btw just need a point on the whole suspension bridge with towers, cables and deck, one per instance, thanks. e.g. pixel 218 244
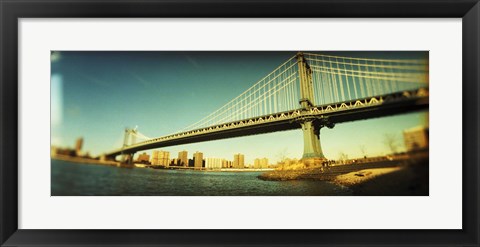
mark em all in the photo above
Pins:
pixel 308 91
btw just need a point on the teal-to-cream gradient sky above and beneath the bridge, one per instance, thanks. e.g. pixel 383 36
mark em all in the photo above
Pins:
pixel 97 94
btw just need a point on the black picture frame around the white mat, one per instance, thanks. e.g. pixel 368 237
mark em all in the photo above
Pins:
pixel 11 11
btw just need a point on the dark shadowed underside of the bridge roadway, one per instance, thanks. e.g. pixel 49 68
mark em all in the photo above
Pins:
pixel 376 111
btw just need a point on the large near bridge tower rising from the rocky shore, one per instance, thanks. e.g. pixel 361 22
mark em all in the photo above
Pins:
pixel 312 150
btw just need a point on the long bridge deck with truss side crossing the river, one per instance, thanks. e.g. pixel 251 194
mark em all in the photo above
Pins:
pixel 372 107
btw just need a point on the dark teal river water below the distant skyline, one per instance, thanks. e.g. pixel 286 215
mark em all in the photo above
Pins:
pixel 74 179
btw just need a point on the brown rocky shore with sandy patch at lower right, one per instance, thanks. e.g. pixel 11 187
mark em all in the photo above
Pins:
pixel 397 177
